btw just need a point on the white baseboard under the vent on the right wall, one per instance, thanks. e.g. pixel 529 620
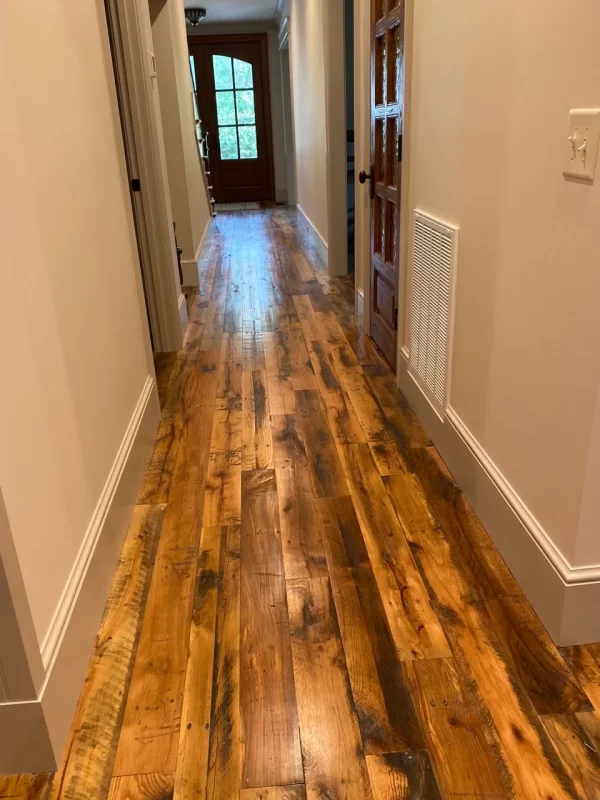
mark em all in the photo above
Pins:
pixel 562 595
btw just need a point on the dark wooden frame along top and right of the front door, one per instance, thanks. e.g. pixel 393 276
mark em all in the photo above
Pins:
pixel 275 88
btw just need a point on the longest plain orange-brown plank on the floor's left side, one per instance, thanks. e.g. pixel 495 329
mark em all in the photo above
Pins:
pixel 150 732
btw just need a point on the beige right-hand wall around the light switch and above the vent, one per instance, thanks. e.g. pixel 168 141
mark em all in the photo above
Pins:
pixel 491 94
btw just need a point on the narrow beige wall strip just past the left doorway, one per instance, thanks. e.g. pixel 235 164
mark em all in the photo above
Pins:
pixel 186 186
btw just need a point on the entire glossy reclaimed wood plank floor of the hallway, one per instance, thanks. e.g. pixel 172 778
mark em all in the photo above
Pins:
pixel 306 606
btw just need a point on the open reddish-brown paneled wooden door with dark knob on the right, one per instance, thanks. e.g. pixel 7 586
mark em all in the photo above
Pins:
pixel 387 101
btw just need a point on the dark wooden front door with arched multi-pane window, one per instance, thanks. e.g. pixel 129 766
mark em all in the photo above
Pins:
pixel 233 97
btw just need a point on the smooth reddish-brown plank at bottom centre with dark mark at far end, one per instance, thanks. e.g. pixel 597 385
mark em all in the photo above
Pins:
pixel 267 695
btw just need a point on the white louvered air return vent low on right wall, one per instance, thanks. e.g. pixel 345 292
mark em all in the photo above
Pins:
pixel 434 268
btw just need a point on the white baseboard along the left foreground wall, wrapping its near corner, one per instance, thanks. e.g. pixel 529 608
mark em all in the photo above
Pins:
pixel 33 733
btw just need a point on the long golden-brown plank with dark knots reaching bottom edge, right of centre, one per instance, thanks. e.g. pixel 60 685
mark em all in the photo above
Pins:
pixel 524 752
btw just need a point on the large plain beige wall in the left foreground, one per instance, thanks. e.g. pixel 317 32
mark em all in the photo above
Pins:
pixel 75 355
